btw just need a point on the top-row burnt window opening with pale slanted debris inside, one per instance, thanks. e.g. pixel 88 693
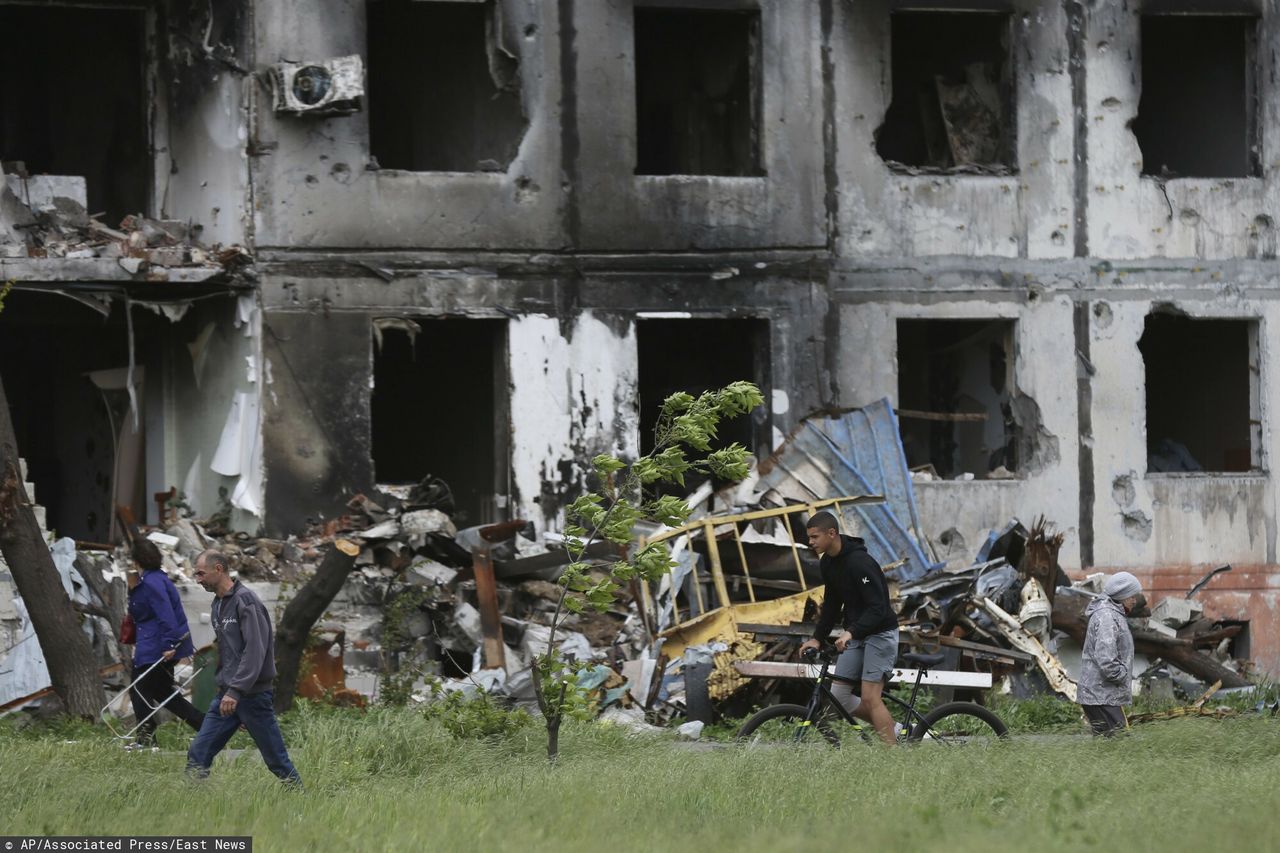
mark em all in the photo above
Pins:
pixel 953 93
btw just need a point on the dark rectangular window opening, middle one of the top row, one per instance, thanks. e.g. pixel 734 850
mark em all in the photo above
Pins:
pixel 698 92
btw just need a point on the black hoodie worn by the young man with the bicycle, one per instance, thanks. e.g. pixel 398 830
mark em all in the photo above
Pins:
pixel 856 586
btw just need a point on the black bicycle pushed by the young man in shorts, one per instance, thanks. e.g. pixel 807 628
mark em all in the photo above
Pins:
pixel 953 723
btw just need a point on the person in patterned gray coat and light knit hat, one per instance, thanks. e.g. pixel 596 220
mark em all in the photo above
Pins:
pixel 1107 665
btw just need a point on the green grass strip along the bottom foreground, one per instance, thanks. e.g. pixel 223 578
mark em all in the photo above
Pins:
pixel 397 781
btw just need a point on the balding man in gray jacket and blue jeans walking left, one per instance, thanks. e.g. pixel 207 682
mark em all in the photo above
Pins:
pixel 246 668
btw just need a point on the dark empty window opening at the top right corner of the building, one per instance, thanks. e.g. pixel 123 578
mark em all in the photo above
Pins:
pixel 1199 110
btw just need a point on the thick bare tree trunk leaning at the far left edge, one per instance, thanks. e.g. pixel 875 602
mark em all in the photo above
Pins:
pixel 67 650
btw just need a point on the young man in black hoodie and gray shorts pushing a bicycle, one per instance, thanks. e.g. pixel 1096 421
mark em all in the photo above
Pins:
pixel 857 596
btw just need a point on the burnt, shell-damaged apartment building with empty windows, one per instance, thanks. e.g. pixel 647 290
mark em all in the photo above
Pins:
pixel 267 257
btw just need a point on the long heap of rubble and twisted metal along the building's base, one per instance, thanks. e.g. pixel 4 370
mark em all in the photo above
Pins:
pixel 428 608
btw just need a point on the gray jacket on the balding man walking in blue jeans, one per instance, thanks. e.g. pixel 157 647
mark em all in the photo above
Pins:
pixel 246 646
